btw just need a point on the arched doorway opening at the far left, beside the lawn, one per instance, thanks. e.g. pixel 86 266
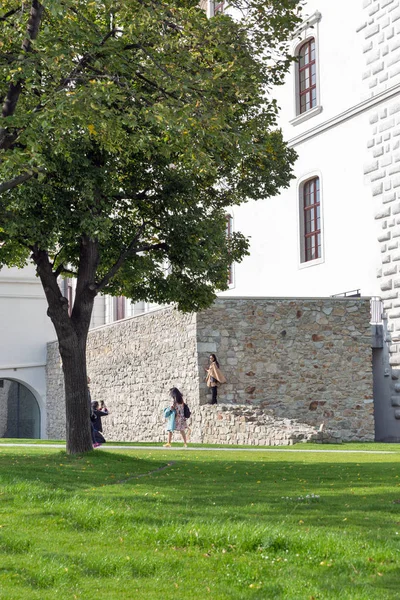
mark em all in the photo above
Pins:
pixel 19 411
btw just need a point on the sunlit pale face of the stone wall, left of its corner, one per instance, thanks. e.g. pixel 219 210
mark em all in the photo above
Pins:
pixel 132 365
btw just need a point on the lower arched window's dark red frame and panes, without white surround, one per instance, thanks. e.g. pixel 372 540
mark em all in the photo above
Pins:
pixel 311 205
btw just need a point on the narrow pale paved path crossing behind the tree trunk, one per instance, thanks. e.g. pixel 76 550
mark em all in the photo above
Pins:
pixel 209 449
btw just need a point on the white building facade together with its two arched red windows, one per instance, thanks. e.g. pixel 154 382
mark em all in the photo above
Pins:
pixel 340 44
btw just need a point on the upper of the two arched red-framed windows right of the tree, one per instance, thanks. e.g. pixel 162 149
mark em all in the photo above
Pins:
pixel 307 76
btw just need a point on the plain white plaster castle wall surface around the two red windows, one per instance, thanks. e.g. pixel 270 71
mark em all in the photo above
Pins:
pixel 332 142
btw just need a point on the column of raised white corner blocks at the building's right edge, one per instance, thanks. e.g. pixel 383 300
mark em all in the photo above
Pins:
pixel 381 47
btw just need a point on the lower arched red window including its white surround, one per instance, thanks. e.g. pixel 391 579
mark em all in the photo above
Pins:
pixel 310 221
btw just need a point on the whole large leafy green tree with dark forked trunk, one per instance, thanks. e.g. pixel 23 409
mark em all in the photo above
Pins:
pixel 128 129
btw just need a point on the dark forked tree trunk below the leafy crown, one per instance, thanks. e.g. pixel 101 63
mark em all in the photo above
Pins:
pixel 72 334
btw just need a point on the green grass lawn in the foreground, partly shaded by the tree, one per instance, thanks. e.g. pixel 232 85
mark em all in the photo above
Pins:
pixel 174 524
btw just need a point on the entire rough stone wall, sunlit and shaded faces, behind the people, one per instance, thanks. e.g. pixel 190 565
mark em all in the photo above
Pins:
pixel 292 366
